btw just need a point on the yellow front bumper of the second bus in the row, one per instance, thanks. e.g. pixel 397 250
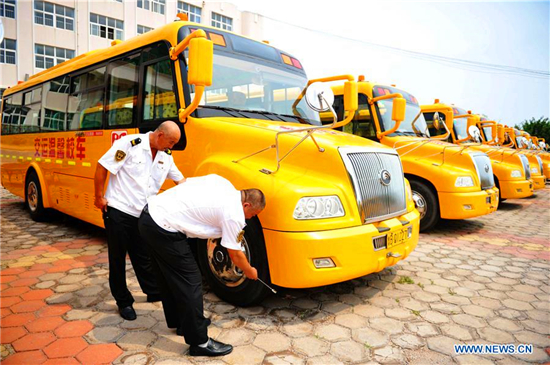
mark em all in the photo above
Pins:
pixel 468 205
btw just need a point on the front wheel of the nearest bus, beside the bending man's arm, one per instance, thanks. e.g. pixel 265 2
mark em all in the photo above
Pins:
pixel 226 280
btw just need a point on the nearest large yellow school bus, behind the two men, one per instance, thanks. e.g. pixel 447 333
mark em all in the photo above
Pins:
pixel 338 206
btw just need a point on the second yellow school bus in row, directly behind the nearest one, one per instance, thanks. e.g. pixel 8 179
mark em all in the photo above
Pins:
pixel 447 181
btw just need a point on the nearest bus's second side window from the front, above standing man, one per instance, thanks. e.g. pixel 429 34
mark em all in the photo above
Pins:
pixel 123 89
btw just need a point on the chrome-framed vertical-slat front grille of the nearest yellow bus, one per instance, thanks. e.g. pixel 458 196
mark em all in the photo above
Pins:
pixel 375 200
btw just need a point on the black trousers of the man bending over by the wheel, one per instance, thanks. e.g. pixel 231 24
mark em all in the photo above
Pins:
pixel 179 279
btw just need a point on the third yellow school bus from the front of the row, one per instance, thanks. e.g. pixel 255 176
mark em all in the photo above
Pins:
pixel 511 169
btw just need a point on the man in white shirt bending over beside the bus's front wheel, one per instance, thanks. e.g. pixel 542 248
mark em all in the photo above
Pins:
pixel 204 207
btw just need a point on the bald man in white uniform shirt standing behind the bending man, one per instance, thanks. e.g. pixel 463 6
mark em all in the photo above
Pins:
pixel 139 164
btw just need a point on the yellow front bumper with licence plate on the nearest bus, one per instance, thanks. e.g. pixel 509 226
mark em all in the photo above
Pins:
pixel 291 254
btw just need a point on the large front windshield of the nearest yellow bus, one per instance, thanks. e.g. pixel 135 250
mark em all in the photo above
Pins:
pixel 253 80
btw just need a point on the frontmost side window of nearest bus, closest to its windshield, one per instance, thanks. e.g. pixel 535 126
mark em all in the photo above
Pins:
pixel 160 100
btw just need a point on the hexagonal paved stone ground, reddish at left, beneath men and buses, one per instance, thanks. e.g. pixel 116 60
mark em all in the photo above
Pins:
pixel 481 281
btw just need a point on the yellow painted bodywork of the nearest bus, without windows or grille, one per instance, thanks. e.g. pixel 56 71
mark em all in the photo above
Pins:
pixel 213 144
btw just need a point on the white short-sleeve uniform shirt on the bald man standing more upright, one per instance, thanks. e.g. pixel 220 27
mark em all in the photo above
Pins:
pixel 134 174
